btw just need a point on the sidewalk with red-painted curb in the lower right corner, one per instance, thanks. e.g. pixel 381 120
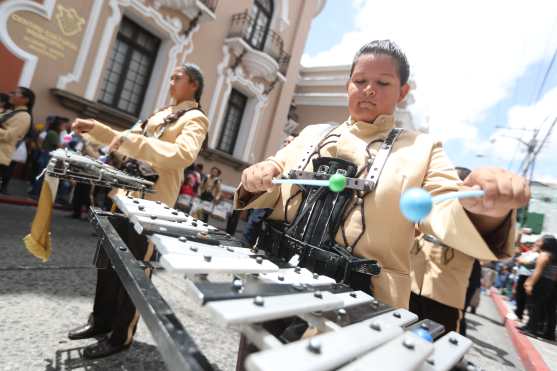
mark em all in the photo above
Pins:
pixel 536 354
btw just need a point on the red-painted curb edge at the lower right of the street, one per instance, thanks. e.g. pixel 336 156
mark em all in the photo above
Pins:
pixel 529 355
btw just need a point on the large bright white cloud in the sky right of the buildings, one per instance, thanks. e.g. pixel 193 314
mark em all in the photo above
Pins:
pixel 464 55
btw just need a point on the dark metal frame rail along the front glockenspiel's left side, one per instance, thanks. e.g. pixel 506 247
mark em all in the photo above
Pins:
pixel 175 345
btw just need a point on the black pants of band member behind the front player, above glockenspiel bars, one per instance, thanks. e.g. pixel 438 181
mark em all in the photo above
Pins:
pixel 427 308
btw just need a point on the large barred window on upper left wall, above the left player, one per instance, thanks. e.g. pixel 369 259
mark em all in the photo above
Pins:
pixel 129 68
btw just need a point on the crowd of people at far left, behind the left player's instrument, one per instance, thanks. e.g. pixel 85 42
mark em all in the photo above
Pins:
pixel 25 148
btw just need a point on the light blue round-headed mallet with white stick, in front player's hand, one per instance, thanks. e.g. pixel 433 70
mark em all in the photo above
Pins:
pixel 416 203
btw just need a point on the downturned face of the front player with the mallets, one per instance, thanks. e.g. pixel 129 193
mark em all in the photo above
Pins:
pixel 374 88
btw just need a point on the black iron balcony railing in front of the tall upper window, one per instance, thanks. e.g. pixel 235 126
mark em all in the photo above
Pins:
pixel 260 38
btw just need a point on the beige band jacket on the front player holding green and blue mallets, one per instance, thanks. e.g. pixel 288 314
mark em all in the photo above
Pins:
pixel 416 160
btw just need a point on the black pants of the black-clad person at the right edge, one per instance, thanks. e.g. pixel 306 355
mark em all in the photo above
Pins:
pixel 544 300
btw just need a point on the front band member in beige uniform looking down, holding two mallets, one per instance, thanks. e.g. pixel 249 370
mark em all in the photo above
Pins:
pixel 375 228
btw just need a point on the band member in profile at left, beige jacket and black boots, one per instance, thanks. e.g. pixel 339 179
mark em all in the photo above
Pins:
pixel 169 141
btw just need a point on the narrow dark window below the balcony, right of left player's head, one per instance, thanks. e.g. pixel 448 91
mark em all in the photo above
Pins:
pixel 232 121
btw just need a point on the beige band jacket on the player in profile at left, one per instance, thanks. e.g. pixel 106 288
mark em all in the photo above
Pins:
pixel 170 154
